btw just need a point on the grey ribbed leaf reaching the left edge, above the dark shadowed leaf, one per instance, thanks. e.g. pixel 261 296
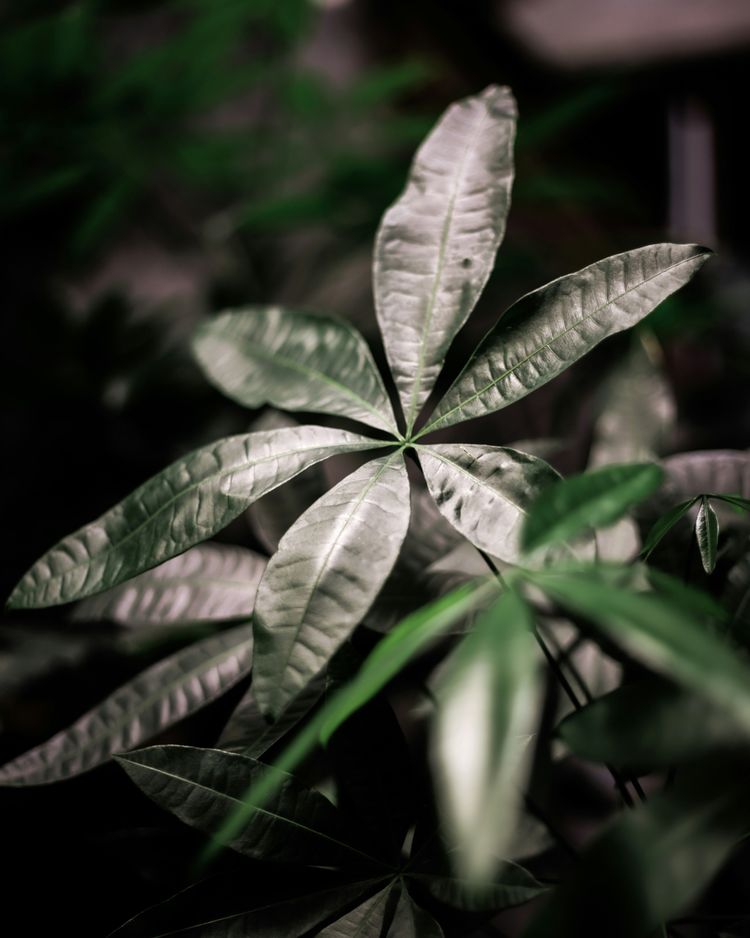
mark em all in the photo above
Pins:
pixel 154 700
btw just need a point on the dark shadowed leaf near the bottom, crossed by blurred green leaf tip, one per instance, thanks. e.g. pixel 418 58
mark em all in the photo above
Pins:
pixel 203 786
